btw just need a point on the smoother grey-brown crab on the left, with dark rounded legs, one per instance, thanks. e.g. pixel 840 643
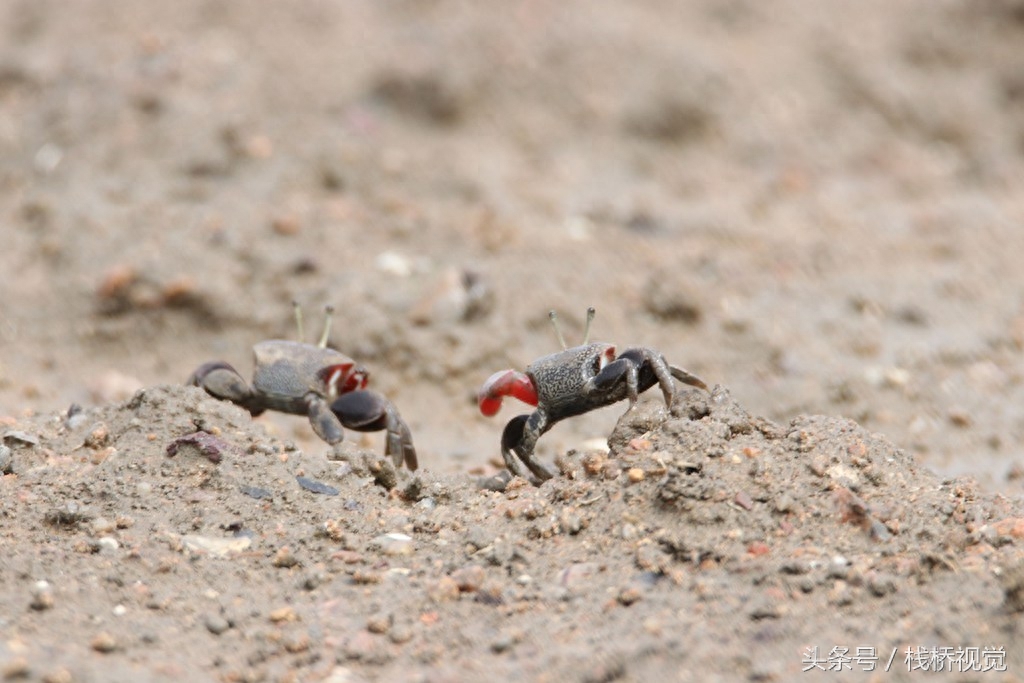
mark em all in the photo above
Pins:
pixel 313 380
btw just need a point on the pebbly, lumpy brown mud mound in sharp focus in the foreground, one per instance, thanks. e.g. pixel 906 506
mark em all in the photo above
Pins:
pixel 170 538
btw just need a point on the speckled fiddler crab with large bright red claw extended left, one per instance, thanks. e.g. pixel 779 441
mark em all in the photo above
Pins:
pixel 572 382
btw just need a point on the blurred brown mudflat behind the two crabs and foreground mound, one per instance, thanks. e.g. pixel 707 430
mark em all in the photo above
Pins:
pixel 819 205
